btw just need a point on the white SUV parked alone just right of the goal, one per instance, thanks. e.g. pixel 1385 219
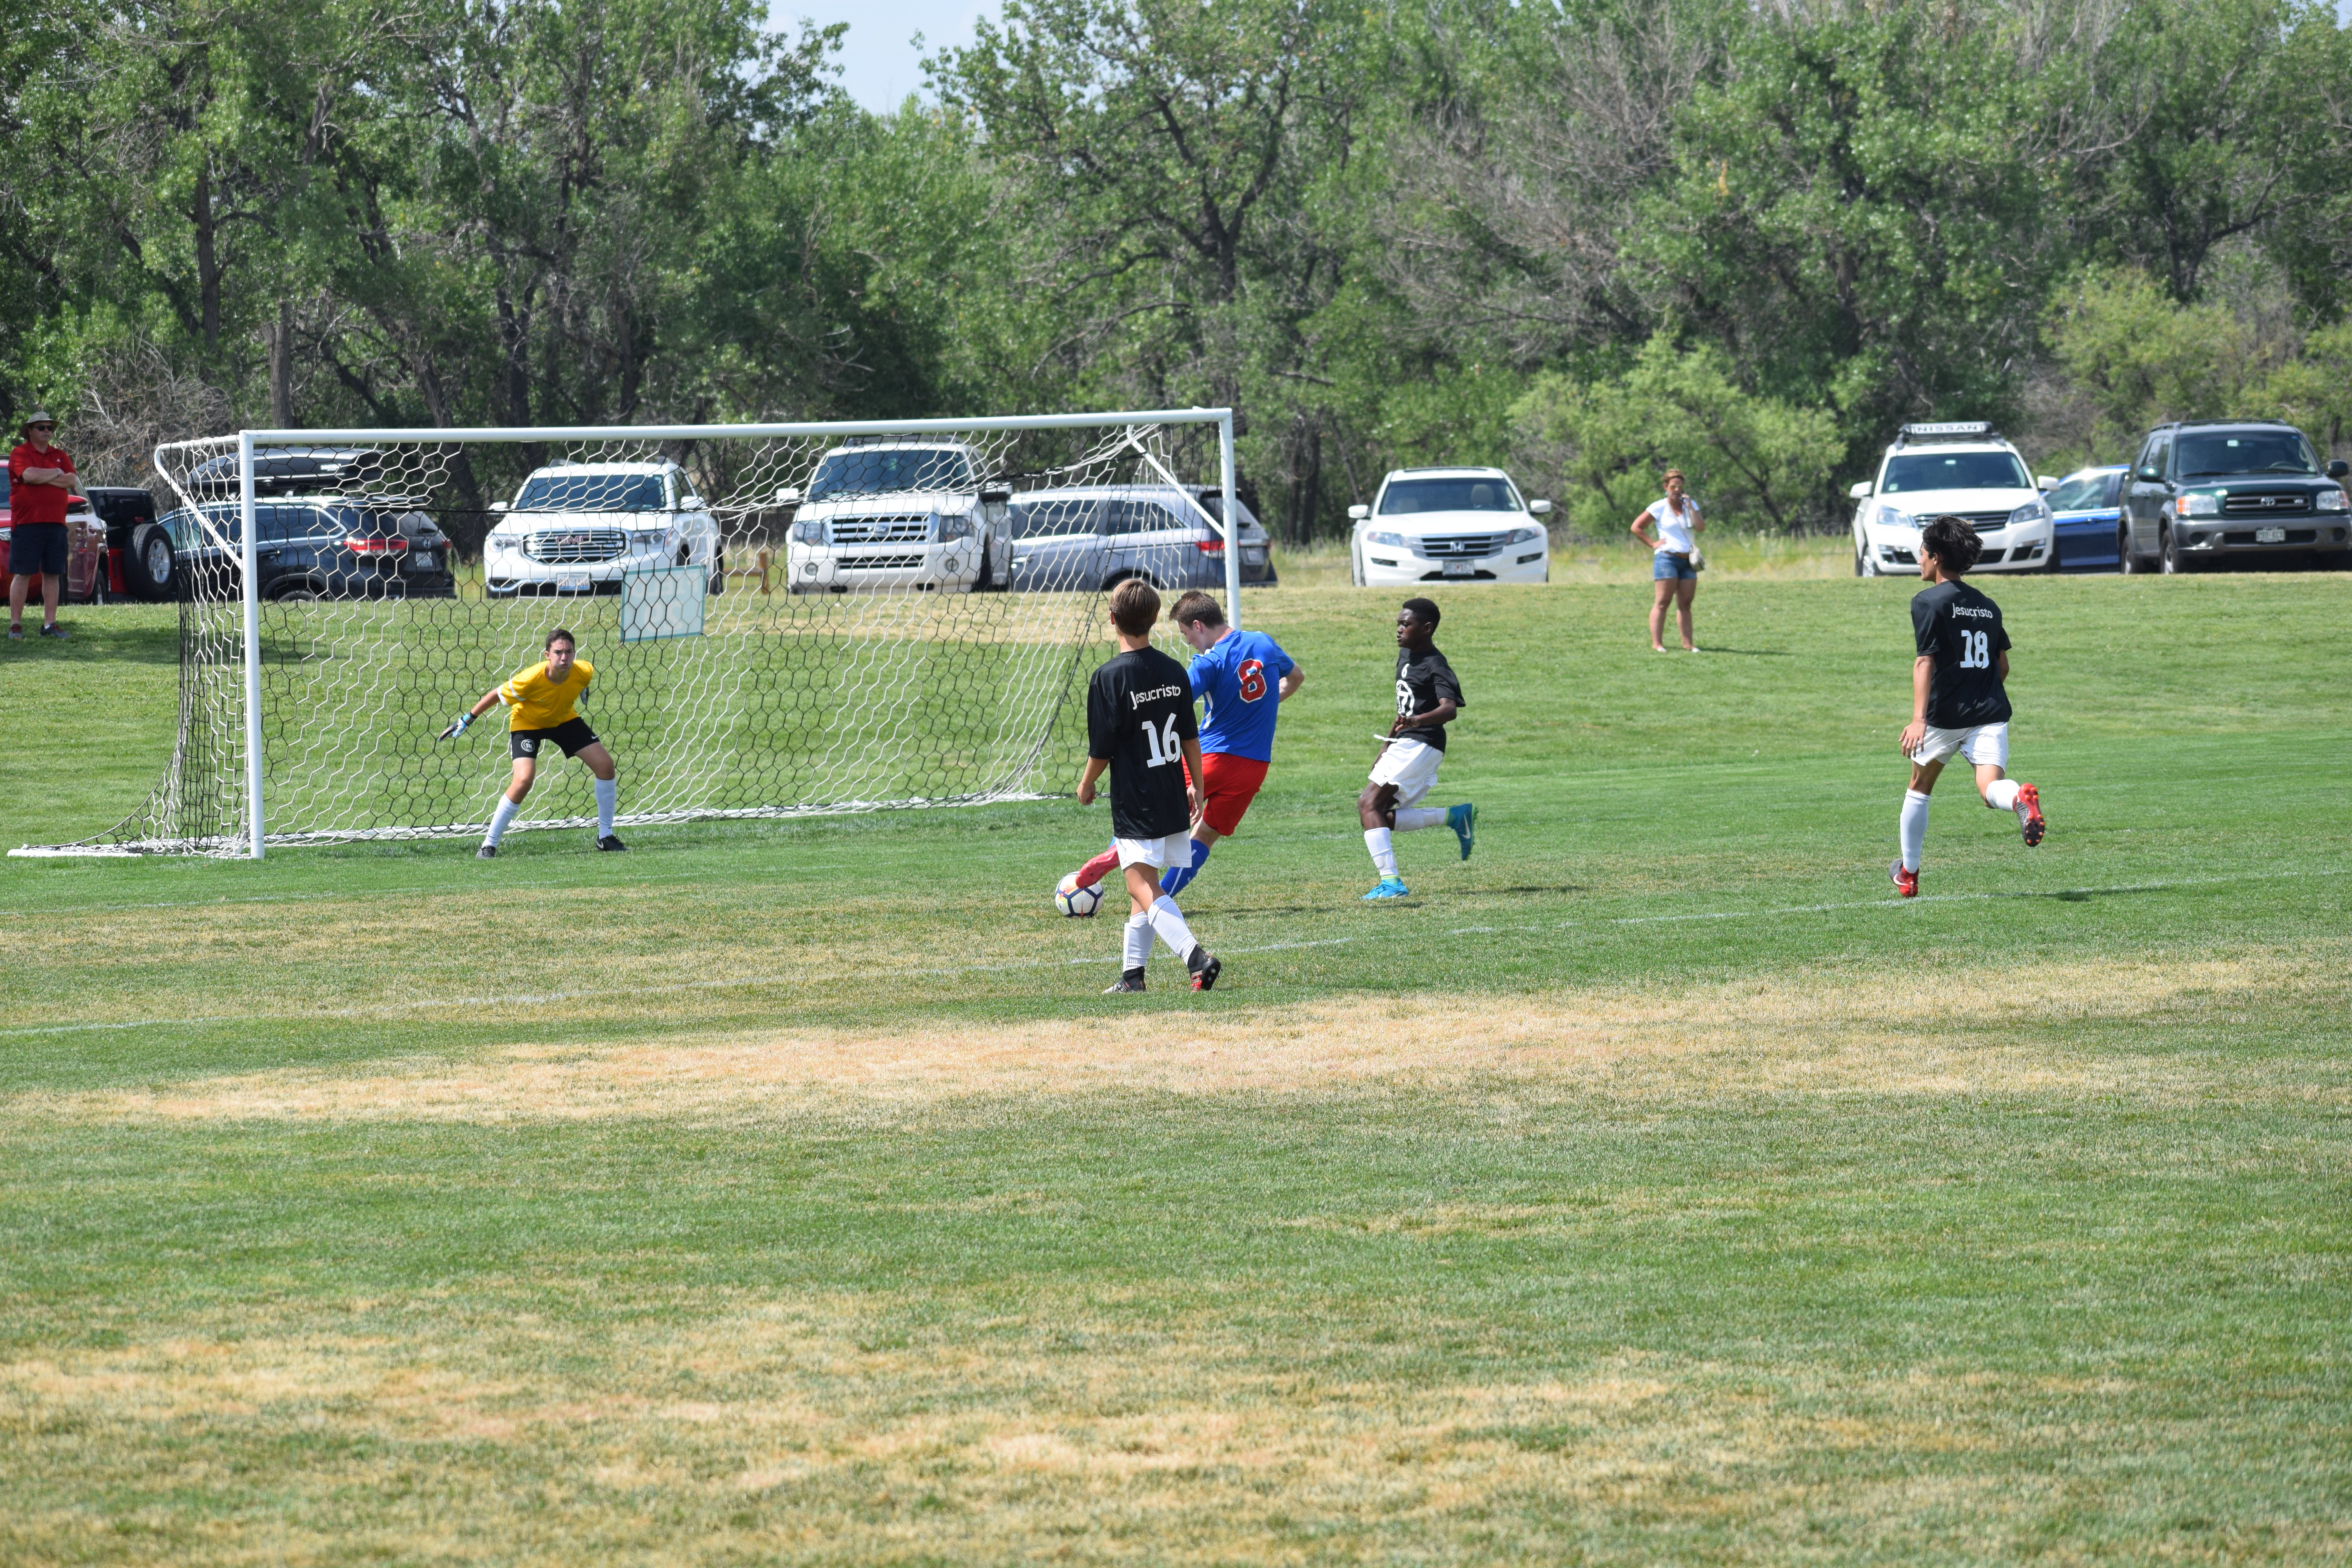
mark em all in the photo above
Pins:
pixel 1450 525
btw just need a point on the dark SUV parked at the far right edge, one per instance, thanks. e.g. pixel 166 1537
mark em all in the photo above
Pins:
pixel 2233 490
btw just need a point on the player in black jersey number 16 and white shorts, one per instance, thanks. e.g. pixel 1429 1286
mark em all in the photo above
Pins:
pixel 1140 725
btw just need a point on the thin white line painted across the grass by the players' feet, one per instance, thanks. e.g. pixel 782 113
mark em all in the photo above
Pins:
pixel 512 1000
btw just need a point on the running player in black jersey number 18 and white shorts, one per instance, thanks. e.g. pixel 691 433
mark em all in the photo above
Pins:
pixel 1960 702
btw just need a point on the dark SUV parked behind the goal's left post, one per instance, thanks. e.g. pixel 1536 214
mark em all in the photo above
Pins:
pixel 316 549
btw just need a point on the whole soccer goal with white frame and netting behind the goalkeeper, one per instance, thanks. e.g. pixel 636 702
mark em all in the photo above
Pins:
pixel 784 619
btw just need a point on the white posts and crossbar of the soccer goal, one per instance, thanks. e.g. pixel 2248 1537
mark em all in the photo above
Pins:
pixel 253 443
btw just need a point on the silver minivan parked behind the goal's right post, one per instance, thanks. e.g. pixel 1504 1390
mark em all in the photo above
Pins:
pixel 1090 537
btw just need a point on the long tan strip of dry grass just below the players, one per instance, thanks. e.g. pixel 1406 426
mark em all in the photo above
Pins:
pixel 1826 1033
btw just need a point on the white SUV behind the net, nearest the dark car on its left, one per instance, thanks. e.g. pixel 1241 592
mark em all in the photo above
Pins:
pixel 582 528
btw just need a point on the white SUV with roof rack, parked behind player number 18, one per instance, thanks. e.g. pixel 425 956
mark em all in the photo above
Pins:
pixel 1960 469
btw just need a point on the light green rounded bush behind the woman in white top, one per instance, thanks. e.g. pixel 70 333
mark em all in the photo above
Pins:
pixel 1751 462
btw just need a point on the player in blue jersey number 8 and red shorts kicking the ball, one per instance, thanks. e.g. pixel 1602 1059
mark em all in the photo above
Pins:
pixel 1234 676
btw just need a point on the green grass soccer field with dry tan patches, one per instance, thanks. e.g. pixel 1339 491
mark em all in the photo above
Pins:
pixel 1652 1188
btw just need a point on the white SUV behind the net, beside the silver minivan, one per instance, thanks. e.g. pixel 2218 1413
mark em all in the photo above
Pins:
pixel 895 511
